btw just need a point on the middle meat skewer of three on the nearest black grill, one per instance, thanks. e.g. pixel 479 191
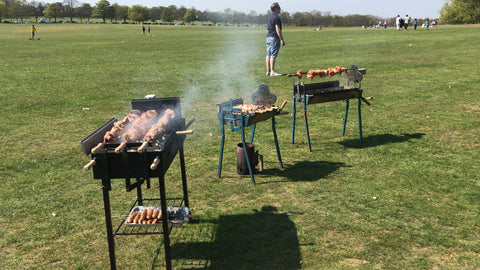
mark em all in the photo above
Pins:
pixel 137 129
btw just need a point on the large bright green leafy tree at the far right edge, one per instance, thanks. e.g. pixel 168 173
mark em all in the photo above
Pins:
pixel 460 11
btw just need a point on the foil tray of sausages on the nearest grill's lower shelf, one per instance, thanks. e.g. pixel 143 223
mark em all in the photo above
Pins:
pixel 144 216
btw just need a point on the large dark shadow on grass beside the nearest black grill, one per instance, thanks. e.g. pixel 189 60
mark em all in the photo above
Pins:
pixel 261 240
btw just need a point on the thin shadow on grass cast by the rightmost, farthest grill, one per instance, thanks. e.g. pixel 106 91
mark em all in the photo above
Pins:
pixel 376 140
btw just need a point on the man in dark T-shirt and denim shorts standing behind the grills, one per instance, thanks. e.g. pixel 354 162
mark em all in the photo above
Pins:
pixel 274 39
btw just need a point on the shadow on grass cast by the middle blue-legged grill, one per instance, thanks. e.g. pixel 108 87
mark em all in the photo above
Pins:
pixel 306 171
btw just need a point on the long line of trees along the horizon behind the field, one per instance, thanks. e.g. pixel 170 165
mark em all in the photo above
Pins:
pixel 454 11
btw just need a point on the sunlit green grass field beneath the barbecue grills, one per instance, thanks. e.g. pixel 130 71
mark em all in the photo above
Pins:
pixel 407 198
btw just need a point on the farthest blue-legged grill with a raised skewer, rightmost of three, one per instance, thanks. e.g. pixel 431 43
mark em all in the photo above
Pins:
pixel 314 93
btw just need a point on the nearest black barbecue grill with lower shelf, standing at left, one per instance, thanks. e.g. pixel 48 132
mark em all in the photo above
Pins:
pixel 138 167
